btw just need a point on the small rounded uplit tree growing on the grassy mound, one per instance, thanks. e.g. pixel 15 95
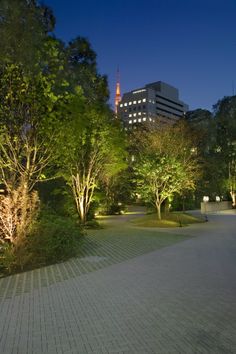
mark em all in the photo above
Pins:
pixel 162 169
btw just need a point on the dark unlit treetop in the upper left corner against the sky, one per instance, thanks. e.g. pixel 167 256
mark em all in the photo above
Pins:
pixel 24 29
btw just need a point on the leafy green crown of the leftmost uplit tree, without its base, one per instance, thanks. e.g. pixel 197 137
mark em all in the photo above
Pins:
pixel 29 117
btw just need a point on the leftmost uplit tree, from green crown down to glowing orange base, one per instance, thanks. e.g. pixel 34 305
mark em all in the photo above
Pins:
pixel 29 118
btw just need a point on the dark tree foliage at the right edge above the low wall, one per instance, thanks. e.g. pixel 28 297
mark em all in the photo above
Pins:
pixel 219 174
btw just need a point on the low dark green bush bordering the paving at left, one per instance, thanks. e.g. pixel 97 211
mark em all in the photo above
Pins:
pixel 52 239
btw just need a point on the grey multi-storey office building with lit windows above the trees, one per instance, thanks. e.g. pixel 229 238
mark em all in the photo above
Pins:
pixel 157 101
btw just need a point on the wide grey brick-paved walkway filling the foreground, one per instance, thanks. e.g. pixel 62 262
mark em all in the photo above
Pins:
pixel 178 299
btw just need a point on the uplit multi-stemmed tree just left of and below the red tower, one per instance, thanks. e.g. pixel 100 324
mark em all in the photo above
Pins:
pixel 92 150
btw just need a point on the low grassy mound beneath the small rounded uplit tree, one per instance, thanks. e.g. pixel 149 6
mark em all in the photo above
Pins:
pixel 174 219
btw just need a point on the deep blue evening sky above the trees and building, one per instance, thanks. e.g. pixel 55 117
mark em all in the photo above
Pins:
pixel 190 44
